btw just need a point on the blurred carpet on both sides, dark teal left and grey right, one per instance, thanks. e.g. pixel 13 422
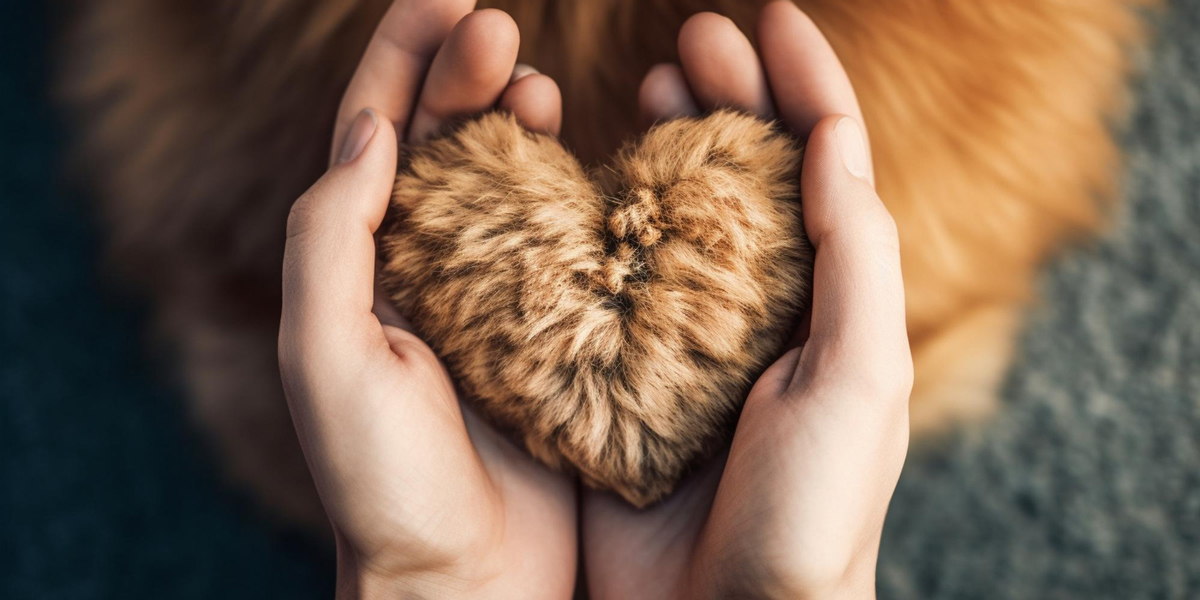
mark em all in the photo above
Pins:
pixel 1088 485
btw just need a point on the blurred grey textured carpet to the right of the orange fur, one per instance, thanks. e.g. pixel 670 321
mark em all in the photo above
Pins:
pixel 1089 484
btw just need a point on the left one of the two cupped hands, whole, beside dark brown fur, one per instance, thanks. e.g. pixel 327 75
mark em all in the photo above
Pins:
pixel 424 499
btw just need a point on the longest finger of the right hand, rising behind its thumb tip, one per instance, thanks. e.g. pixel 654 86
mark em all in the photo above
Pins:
pixel 806 76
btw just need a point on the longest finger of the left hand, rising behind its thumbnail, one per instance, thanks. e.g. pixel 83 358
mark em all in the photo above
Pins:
pixel 394 65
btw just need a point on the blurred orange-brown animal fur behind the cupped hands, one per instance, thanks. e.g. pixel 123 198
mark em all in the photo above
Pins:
pixel 201 122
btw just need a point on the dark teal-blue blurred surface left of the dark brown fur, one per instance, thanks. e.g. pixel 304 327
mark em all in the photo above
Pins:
pixel 106 491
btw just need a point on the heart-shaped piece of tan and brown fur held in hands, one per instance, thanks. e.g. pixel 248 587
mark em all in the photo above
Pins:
pixel 616 322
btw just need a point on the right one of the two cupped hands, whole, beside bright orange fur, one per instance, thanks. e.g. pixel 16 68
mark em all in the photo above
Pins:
pixel 796 508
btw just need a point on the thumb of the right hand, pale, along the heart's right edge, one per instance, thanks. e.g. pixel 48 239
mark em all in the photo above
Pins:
pixel 859 310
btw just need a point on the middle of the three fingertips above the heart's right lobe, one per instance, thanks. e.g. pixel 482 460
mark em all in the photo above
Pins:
pixel 722 67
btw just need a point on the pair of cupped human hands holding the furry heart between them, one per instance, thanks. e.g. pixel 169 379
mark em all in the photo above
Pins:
pixel 427 500
